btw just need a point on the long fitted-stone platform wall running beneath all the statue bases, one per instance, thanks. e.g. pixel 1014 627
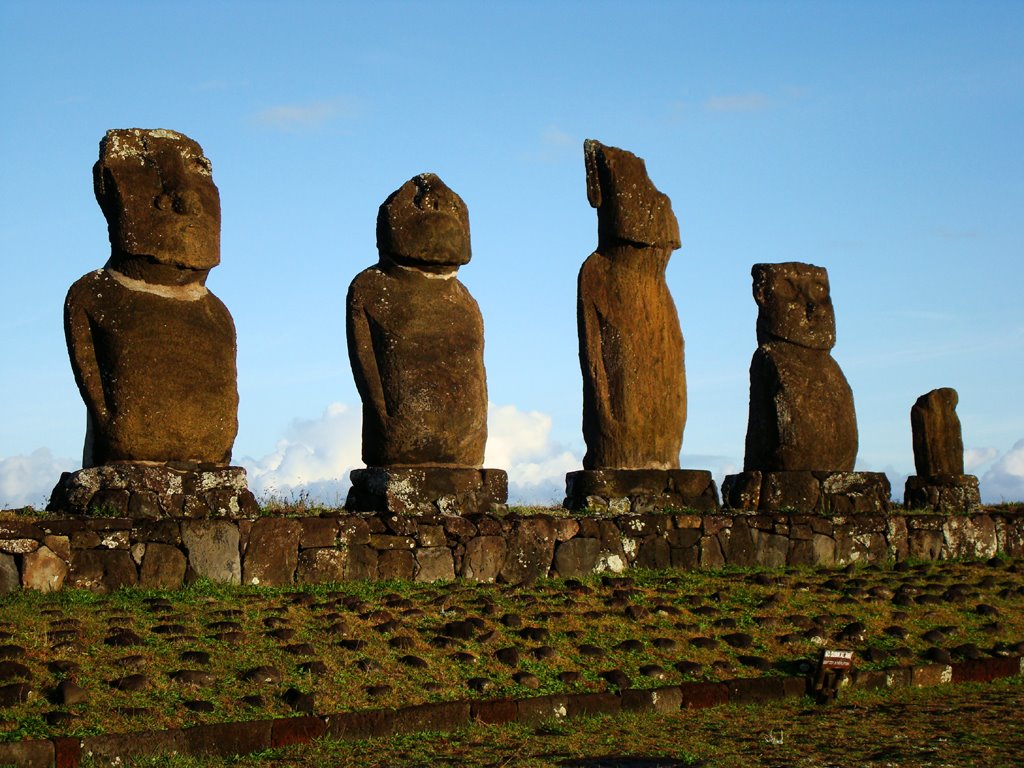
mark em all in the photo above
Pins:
pixel 104 554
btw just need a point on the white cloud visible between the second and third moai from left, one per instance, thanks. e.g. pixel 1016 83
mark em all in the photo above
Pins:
pixel 521 444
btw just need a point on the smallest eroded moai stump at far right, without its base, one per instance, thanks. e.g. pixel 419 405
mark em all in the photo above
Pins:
pixel 938 442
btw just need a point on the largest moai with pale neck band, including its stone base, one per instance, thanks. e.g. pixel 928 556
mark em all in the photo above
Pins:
pixel 152 349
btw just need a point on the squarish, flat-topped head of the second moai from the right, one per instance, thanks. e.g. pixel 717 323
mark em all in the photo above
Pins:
pixel 794 305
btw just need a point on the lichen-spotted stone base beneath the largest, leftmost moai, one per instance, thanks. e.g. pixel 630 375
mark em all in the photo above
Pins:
pixel 155 491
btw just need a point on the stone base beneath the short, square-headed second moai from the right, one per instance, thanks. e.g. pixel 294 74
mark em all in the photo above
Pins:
pixel 825 493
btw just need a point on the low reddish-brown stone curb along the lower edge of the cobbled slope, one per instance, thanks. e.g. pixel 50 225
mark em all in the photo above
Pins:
pixel 244 738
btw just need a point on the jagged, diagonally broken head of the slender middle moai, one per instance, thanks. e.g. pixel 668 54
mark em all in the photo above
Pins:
pixel 629 207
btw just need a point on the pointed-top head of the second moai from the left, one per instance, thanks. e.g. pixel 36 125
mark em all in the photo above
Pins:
pixel 424 225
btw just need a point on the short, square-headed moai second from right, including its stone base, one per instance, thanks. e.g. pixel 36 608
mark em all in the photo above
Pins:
pixel 802 428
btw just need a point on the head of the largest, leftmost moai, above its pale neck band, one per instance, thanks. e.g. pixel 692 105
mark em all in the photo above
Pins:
pixel 162 208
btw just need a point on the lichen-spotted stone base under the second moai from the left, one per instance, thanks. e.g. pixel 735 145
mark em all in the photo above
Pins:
pixel 415 491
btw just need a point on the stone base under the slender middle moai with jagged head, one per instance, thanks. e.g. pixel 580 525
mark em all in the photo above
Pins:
pixel 639 491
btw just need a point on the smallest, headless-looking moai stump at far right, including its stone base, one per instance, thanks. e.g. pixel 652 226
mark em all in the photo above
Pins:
pixel 938 457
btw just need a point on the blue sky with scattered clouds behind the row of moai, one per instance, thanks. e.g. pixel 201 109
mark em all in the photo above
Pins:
pixel 881 141
